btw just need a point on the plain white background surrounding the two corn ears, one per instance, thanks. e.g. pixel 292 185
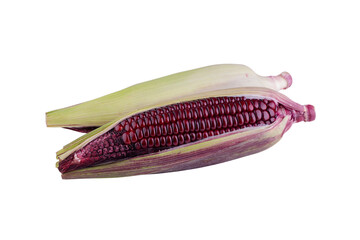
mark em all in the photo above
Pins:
pixel 58 53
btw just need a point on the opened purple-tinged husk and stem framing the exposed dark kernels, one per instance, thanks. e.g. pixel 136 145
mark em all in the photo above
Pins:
pixel 213 150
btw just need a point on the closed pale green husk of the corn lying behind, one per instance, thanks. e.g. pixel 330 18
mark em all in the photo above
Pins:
pixel 161 91
